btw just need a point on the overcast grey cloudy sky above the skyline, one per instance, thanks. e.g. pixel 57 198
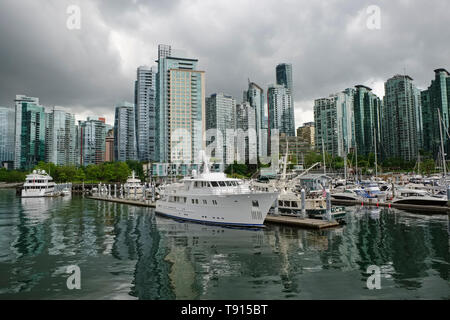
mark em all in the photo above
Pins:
pixel 88 70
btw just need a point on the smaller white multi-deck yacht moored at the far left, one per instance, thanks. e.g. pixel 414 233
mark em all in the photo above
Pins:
pixel 39 184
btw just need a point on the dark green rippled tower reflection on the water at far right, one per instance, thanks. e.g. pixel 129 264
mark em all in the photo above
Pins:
pixel 399 242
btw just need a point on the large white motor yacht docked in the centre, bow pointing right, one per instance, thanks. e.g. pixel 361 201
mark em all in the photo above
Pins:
pixel 211 197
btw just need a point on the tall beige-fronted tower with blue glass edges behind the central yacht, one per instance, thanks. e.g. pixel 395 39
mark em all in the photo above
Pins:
pixel 180 108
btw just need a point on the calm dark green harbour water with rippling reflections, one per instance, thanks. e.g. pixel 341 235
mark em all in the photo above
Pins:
pixel 126 252
